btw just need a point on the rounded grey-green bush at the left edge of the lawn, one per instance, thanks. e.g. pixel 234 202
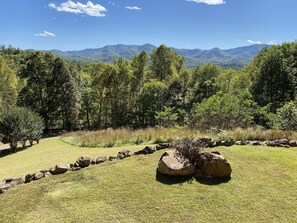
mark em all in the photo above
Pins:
pixel 19 125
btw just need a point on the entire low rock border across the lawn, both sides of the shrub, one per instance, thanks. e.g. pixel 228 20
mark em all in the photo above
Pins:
pixel 84 161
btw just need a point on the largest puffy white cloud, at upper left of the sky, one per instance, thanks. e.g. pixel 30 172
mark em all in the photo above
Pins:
pixel 89 8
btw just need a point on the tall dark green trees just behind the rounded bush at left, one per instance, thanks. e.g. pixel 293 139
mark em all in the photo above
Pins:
pixel 52 90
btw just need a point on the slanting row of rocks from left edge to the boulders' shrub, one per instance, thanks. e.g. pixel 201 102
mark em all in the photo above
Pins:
pixel 81 162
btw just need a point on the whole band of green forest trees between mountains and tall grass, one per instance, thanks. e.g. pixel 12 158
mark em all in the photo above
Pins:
pixel 154 89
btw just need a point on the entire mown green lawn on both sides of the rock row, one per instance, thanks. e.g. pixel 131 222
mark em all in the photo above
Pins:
pixel 263 188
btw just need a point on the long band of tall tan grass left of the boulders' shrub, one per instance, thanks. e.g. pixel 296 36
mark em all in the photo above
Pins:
pixel 118 137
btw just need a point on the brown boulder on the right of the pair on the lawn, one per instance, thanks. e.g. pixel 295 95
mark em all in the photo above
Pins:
pixel 213 165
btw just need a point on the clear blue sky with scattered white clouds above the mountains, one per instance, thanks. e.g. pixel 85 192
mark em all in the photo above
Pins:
pixel 204 24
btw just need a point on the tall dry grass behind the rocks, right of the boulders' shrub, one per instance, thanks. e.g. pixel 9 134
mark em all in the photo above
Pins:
pixel 258 133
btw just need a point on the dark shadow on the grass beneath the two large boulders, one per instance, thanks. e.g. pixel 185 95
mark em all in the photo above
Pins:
pixel 170 180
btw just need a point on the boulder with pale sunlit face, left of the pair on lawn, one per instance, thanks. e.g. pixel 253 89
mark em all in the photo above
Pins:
pixel 172 165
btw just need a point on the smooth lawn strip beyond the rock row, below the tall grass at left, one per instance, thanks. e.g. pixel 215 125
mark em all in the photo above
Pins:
pixel 47 153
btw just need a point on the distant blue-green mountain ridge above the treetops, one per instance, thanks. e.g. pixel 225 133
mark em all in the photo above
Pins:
pixel 236 57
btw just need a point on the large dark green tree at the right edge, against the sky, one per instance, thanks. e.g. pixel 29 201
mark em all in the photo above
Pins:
pixel 273 73
